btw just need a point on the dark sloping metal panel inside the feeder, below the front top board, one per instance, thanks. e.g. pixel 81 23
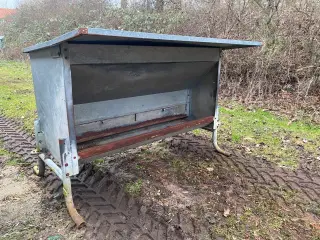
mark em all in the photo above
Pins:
pixel 101 82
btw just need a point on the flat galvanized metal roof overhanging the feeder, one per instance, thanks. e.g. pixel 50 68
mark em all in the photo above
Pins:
pixel 107 36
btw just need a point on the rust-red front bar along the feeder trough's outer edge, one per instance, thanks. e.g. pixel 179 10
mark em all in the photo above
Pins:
pixel 100 149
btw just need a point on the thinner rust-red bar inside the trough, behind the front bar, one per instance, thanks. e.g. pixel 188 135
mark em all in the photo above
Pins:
pixel 95 135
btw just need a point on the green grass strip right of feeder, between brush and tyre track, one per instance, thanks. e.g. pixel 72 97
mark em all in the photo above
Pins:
pixel 267 135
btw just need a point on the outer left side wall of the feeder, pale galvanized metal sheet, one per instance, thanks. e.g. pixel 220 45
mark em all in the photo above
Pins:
pixel 48 72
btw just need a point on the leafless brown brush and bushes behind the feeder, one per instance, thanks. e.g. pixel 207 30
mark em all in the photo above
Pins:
pixel 286 67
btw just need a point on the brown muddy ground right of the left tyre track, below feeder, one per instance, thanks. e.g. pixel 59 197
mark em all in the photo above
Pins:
pixel 211 196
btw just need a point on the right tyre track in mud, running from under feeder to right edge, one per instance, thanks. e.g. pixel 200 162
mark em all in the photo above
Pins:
pixel 264 176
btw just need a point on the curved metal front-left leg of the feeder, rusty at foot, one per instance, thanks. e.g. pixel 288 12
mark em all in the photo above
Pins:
pixel 67 192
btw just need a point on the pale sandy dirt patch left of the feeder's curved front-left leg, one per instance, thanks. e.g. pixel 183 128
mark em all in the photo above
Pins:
pixel 26 212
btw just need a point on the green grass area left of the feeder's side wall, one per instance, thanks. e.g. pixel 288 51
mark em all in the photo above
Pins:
pixel 16 95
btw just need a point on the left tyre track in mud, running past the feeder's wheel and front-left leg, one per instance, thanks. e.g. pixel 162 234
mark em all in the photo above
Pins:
pixel 109 212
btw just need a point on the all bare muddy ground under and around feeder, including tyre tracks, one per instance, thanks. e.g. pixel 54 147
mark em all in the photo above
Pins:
pixel 178 188
